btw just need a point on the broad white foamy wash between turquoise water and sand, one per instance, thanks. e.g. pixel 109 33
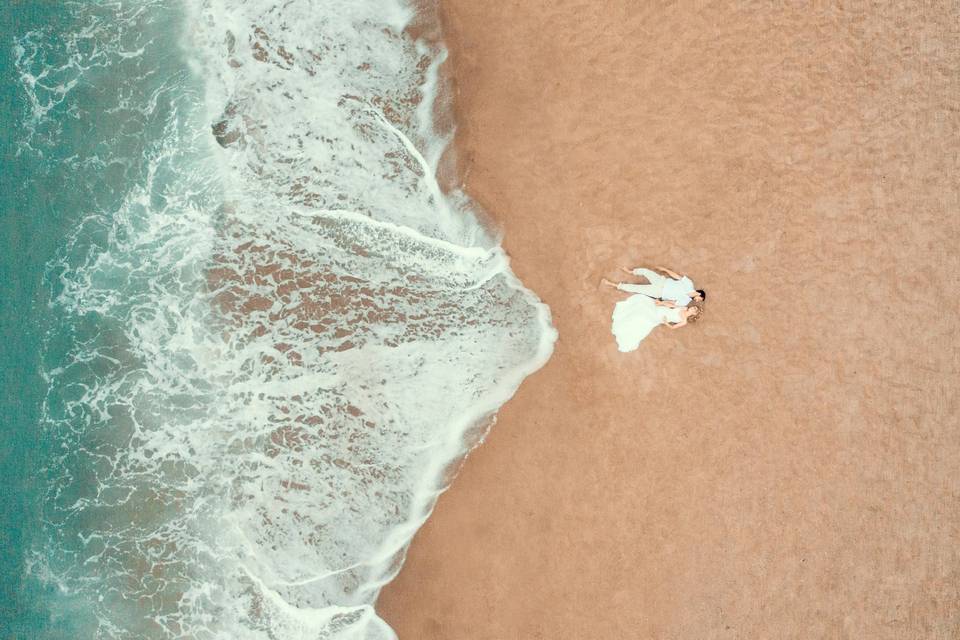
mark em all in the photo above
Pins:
pixel 297 333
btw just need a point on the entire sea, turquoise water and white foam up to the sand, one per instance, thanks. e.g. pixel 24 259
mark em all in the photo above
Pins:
pixel 251 328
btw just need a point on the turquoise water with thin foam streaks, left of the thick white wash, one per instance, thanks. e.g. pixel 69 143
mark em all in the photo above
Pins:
pixel 77 140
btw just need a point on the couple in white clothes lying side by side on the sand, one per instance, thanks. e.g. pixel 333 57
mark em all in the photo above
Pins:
pixel 668 298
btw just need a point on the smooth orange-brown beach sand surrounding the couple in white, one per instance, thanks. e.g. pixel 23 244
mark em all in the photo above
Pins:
pixel 790 466
